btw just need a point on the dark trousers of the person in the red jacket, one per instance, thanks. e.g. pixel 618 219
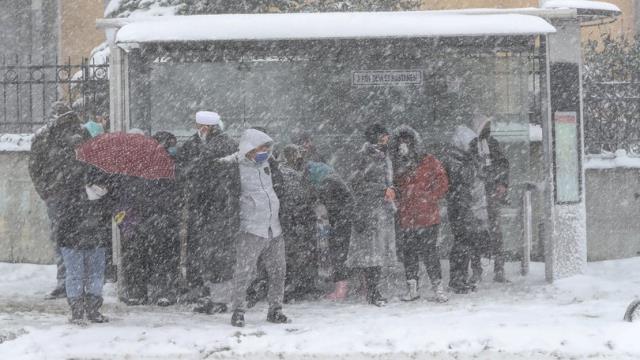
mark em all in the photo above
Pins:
pixel 421 245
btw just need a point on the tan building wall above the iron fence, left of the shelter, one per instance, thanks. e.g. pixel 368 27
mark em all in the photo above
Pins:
pixel 78 33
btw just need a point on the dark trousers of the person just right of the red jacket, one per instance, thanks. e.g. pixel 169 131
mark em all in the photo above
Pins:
pixel 467 250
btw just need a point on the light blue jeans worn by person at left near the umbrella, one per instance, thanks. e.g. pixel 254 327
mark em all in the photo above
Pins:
pixel 85 271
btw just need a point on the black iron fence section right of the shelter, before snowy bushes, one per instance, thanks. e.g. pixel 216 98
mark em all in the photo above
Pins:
pixel 612 116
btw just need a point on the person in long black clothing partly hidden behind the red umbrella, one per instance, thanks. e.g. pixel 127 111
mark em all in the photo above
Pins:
pixel 148 220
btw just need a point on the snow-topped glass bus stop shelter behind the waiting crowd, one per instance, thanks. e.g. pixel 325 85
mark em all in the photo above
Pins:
pixel 331 74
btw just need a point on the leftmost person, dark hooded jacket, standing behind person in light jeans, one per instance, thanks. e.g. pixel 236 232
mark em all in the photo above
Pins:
pixel 58 177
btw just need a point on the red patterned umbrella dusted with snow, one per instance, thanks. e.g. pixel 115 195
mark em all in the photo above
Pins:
pixel 128 154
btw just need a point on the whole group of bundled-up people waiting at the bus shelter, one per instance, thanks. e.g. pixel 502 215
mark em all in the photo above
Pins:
pixel 239 212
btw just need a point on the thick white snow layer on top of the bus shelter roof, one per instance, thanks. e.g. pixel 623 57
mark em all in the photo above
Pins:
pixel 309 26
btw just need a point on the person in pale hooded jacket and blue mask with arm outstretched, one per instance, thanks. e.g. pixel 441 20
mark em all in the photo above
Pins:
pixel 259 231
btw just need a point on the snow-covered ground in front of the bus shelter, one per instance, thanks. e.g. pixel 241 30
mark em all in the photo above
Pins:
pixel 573 318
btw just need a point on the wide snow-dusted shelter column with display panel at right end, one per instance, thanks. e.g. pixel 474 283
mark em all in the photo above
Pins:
pixel 565 226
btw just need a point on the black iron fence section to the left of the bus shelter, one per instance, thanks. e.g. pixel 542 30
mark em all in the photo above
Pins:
pixel 29 88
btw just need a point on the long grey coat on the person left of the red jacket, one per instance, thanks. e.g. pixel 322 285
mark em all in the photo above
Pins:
pixel 373 234
